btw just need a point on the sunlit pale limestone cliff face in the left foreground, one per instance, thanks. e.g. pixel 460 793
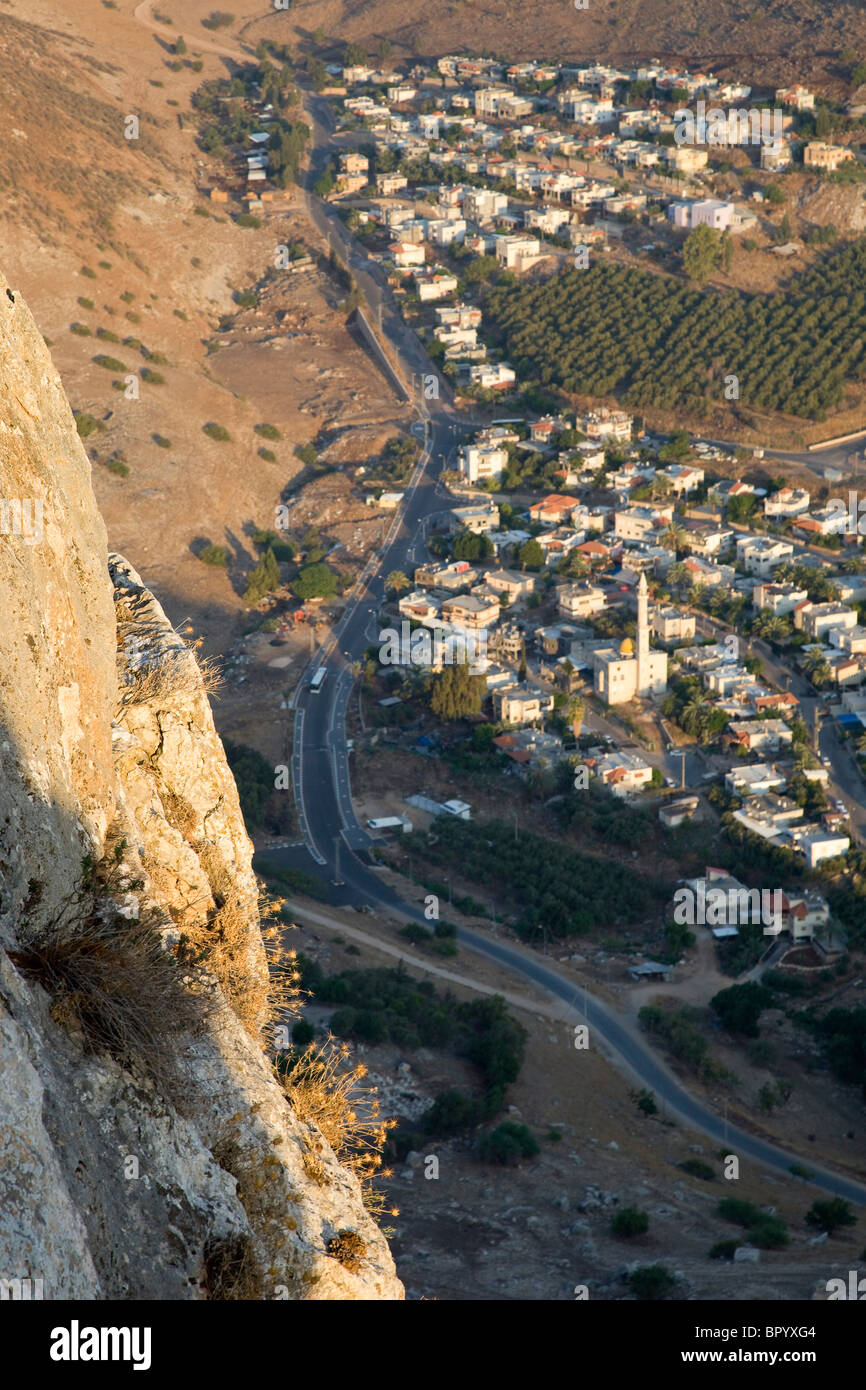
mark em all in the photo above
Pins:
pixel 113 1186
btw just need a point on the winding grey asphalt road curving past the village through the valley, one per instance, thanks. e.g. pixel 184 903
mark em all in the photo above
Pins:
pixel 320 761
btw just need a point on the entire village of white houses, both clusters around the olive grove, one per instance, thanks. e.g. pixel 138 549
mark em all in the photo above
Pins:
pixel 661 611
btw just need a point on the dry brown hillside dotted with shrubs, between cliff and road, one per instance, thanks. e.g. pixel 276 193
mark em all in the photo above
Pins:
pixel 102 237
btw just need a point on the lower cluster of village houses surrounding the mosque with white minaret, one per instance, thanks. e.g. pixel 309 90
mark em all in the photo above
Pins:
pixel 598 629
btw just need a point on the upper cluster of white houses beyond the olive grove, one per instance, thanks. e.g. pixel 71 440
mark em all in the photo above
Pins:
pixel 537 162
